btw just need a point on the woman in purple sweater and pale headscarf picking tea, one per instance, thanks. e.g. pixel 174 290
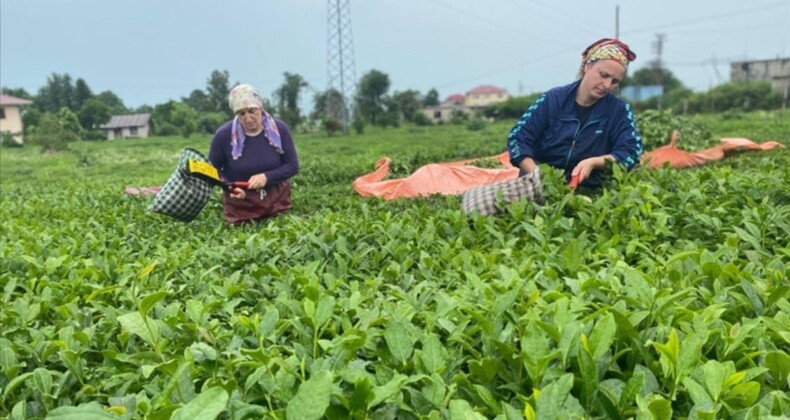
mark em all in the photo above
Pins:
pixel 256 148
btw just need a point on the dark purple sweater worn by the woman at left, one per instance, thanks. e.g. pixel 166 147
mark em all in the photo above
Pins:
pixel 258 156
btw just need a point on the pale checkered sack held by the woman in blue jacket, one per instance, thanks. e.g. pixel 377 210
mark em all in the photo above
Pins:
pixel 486 198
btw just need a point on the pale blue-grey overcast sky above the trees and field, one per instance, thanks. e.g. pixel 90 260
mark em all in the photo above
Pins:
pixel 151 51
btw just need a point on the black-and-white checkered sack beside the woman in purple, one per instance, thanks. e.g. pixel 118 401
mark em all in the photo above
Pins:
pixel 183 196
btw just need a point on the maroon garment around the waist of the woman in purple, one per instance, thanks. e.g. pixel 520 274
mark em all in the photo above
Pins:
pixel 254 206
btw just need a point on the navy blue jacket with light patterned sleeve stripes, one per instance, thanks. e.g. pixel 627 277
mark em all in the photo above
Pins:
pixel 550 133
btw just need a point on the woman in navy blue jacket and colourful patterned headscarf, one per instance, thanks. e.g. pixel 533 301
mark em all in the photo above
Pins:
pixel 578 127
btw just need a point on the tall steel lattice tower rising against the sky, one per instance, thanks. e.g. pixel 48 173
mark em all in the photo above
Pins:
pixel 341 75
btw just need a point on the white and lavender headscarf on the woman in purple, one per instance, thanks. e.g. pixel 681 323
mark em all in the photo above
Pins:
pixel 243 97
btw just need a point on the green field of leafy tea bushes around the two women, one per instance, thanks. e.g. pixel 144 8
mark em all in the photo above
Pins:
pixel 667 295
